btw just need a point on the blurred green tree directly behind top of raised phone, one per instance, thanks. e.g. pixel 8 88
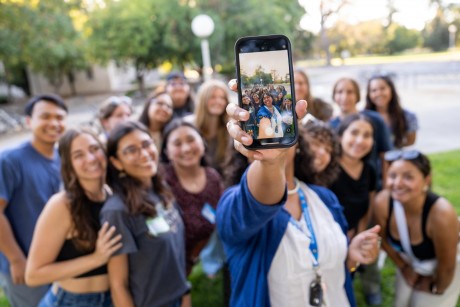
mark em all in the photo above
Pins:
pixel 236 18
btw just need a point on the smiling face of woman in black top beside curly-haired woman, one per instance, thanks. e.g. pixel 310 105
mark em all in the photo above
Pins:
pixel 357 139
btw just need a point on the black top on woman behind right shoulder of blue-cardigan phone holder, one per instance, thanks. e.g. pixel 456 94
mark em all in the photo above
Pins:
pixel 353 194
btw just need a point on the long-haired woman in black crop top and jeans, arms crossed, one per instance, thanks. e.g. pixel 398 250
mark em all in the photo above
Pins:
pixel 69 248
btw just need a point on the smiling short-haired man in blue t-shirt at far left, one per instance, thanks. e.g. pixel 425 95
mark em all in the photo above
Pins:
pixel 29 176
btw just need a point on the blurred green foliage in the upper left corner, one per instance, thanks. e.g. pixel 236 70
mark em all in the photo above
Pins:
pixel 43 36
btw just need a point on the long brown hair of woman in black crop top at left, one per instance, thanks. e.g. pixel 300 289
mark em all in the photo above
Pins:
pixel 84 225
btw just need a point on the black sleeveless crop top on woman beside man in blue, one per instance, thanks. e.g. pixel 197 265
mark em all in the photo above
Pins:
pixel 70 251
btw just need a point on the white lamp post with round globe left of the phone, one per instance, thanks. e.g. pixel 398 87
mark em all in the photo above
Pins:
pixel 202 27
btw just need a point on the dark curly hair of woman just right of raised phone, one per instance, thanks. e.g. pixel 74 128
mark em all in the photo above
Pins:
pixel 304 157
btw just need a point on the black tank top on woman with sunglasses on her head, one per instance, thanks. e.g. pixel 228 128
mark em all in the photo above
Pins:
pixel 424 250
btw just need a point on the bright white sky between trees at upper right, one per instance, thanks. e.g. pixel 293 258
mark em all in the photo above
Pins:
pixel 412 14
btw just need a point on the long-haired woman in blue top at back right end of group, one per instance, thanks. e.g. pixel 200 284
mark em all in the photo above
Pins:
pixel 383 98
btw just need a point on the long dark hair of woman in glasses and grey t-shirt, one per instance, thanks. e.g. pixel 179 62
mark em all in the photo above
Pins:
pixel 128 188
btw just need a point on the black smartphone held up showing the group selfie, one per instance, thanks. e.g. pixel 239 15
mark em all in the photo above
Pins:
pixel 266 90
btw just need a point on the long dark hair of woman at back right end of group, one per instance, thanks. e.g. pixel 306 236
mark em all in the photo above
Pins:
pixel 397 118
